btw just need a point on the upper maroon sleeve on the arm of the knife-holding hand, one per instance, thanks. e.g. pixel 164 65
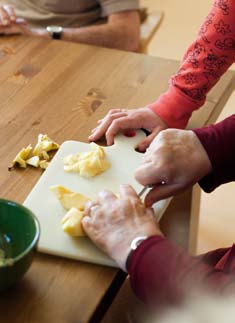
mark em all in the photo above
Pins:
pixel 219 143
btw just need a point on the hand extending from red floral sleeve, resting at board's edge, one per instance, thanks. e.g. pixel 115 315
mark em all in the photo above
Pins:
pixel 118 119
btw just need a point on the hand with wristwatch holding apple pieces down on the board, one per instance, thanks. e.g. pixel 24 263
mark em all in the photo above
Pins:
pixel 113 222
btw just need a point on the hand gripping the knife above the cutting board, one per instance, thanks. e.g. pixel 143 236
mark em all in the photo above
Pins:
pixel 174 161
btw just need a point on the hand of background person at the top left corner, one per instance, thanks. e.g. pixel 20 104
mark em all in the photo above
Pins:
pixel 9 22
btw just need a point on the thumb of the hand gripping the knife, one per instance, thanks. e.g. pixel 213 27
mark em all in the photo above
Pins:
pixel 160 192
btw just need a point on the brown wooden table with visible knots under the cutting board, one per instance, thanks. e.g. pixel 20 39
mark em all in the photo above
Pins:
pixel 62 89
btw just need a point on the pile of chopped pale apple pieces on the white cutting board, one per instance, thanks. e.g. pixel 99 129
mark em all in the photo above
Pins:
pixel 87 164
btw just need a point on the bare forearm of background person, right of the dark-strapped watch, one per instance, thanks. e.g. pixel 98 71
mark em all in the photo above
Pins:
pixel 107 35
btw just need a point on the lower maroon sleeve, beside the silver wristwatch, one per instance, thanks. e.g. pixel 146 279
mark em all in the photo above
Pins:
pixel 162 273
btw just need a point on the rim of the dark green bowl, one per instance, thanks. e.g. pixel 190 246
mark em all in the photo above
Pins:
pixel 35 239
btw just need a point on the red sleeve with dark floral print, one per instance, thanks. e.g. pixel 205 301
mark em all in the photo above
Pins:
pixel 205 61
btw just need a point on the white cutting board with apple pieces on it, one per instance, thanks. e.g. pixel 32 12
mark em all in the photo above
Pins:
pixel 123 159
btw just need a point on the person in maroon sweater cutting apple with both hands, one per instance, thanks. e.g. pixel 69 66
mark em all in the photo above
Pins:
pixel 125 228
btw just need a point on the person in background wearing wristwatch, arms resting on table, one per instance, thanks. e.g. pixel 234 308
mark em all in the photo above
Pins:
pixel 107 23
